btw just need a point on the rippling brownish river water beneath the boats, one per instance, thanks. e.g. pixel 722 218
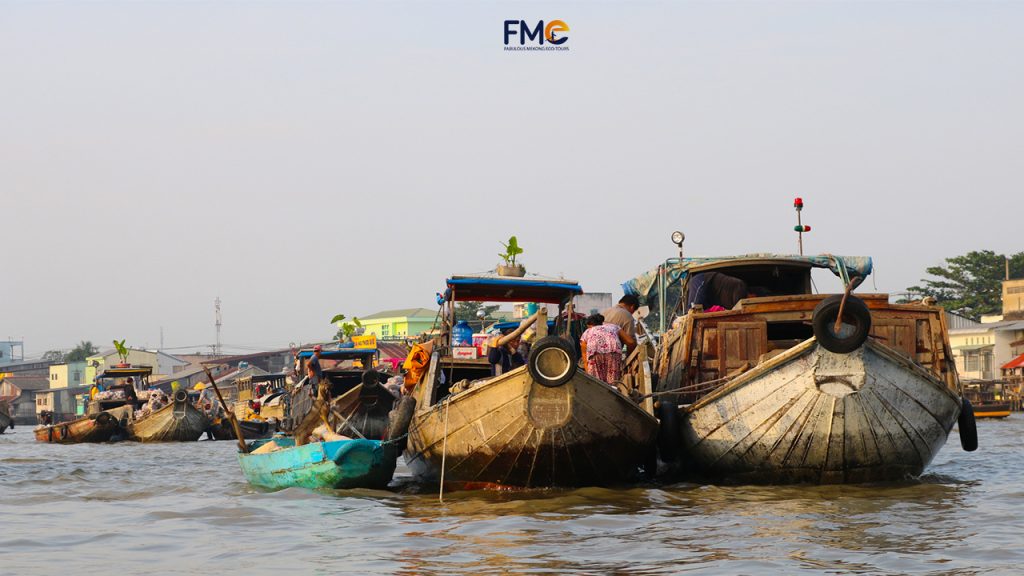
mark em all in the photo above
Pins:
pixel 185 509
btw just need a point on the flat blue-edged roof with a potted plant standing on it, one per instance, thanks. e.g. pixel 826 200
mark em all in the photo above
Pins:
pixel 493 289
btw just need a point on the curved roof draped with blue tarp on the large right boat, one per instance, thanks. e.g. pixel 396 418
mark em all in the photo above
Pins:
pixel 850 269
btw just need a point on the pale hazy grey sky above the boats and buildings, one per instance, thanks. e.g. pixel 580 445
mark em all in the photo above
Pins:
pixel 305 159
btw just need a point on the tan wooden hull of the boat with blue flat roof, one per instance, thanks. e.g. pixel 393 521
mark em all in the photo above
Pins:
pixel 513 432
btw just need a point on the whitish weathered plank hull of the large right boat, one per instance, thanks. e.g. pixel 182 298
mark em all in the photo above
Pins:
pixel 812 416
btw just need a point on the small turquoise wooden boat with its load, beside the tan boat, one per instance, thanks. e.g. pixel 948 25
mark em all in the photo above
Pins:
pixel 359 463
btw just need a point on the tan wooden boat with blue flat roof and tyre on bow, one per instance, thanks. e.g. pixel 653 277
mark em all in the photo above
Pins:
pixel 543 425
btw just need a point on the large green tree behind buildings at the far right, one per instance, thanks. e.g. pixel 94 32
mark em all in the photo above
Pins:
pixel 971 285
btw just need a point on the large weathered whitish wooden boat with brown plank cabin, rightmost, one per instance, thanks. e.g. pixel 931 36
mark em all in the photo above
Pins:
pixel 771 392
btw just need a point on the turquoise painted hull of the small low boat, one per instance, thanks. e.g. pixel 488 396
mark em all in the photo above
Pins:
pixel 344 464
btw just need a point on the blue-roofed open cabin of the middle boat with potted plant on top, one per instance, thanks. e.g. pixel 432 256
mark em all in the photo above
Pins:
pixel 465 363
